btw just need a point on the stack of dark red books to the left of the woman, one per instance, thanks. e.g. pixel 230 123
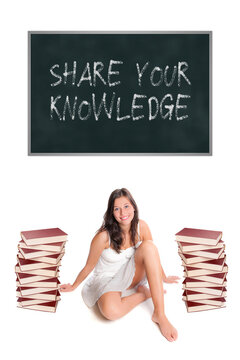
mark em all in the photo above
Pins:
pixel 37 269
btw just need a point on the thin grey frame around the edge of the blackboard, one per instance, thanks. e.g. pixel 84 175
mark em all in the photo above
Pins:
pixel 30 153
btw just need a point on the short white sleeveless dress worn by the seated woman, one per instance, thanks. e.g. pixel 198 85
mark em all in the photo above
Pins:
pixel 113 272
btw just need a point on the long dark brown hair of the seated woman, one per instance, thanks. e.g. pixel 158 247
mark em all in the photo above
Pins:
pixel 111 225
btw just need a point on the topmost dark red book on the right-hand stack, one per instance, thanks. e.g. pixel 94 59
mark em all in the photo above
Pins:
pixel 199 236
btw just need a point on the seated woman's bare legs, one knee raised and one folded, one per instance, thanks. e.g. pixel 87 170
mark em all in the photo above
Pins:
pixel 147 261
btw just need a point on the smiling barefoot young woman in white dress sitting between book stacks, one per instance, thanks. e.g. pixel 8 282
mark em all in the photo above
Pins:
pixel 123 255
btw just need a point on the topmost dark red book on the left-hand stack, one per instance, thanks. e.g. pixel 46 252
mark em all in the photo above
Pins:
pixel 43 236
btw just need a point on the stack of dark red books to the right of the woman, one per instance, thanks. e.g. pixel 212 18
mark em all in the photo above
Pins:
pixel 205 269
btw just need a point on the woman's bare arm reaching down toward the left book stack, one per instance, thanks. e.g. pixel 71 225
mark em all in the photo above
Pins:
pixel 98 244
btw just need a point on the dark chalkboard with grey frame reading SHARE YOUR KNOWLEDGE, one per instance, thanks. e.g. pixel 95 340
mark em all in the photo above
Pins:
pixel 119 93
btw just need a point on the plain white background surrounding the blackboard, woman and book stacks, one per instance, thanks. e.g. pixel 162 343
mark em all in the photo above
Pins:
pixel 172 192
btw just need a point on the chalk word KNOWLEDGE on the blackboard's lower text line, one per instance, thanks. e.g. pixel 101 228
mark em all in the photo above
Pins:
pixel 167 107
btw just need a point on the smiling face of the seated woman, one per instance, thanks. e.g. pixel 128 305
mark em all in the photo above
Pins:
pixel 123 211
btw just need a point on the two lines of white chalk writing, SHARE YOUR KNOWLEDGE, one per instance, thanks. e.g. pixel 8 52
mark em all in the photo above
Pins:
pixel 95 74
